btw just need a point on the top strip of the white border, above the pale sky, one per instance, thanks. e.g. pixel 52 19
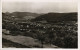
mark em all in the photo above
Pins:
pixel 40 0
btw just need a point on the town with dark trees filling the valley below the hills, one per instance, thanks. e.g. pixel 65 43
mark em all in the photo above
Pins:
pixel 58 33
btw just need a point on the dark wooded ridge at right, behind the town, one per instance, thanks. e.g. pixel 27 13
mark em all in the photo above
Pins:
pixel 50 17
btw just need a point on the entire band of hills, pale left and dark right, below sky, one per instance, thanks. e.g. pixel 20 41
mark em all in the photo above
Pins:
pixel 50 17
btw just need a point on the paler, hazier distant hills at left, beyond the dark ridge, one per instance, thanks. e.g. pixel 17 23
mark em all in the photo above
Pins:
pixel 21 15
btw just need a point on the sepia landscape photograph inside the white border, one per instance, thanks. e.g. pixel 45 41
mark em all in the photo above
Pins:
pixel 39 24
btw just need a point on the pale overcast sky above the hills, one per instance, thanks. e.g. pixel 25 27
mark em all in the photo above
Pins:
pixel 39 7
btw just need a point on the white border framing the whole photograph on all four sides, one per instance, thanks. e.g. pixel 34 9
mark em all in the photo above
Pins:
pixel 36 1
